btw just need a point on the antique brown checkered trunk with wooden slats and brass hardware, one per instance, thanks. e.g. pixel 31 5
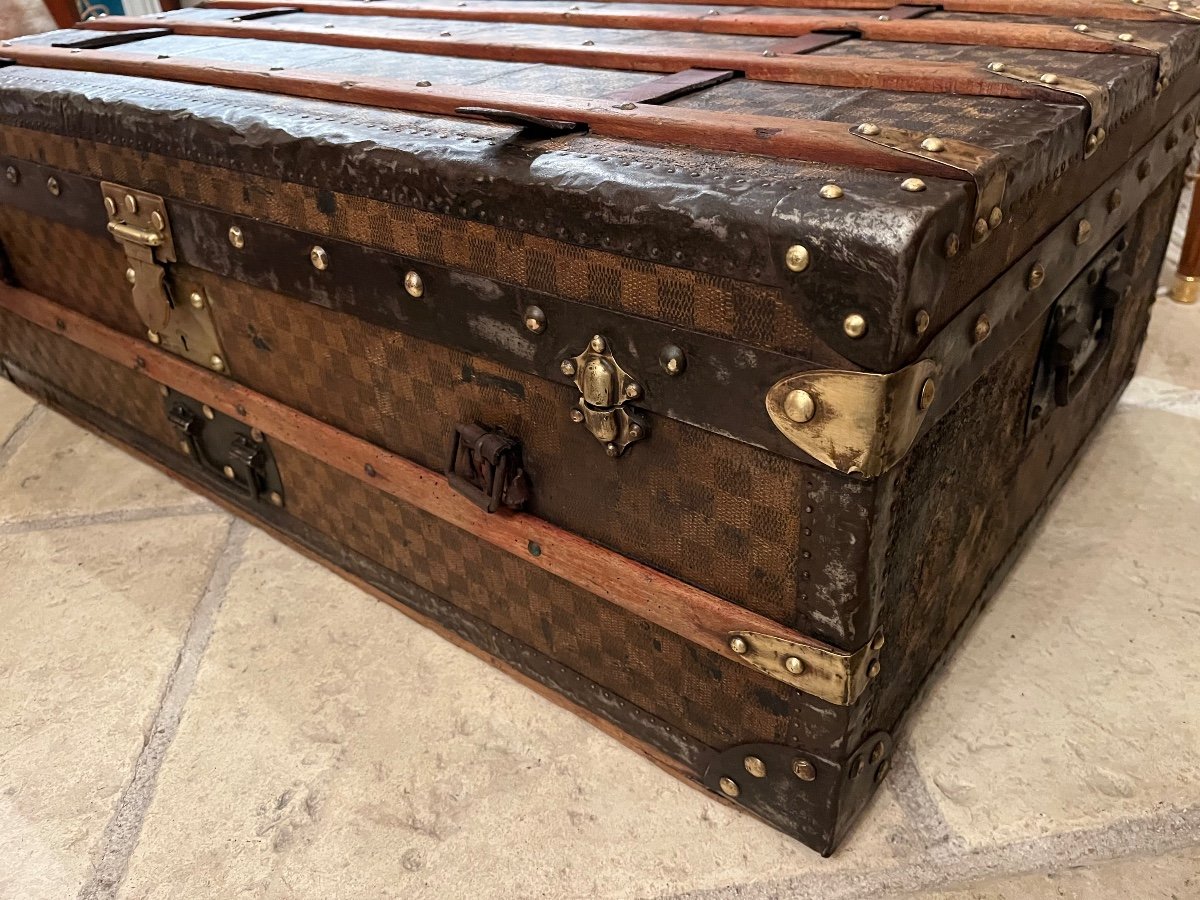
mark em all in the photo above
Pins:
pixel 701 367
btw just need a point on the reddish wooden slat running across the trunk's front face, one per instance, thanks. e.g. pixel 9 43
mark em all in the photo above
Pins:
pixel 692 614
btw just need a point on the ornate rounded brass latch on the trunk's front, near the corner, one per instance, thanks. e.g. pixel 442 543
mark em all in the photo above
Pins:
pixel 607 395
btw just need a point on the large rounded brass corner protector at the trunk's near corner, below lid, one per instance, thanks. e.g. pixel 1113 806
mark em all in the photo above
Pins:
pixel 857 423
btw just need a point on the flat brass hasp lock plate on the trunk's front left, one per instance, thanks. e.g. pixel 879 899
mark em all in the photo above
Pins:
pixel 177 310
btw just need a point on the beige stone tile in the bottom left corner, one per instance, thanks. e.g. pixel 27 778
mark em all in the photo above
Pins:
pixel 93 622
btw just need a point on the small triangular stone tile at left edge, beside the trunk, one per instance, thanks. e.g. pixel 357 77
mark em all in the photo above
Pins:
pixel 61 470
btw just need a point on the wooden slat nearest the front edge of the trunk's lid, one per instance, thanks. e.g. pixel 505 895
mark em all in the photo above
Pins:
pixel 807 140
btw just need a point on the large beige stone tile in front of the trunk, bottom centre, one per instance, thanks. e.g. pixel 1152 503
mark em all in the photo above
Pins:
pixel 332 747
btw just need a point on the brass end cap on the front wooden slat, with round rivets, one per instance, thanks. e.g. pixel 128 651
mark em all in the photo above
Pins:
pixel 825 673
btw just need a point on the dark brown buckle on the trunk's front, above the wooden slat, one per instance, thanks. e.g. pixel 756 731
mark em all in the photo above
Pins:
pixel 485 467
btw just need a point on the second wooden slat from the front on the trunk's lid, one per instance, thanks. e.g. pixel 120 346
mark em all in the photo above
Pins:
pixel 887 74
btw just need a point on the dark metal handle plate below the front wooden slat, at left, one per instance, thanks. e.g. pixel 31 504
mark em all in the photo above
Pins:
pixel 225 448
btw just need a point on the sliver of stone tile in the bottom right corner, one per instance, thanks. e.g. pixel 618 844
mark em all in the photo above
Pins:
pixel 1172 877
